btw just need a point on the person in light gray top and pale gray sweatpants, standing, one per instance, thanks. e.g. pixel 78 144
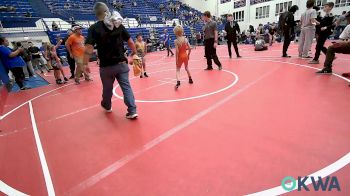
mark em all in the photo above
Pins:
pixel 308 29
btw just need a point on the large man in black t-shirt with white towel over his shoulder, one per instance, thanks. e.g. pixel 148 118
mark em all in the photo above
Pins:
pixel 109 37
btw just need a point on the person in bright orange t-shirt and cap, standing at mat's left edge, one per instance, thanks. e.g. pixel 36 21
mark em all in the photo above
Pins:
pixel 76 48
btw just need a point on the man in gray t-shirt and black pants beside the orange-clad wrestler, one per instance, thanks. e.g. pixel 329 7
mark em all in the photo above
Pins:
pixel 210 41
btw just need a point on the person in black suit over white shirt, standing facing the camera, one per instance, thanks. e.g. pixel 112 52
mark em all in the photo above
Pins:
pixel 231 29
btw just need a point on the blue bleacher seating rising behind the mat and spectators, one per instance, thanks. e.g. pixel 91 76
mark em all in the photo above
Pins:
pixel 147 10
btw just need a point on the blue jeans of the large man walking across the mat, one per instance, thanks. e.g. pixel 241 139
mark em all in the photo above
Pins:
pixel 121 73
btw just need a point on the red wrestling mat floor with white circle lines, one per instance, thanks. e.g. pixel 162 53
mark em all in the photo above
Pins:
pixel 233 132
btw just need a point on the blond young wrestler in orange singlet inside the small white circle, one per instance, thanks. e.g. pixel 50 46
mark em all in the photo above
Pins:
pixel 182 57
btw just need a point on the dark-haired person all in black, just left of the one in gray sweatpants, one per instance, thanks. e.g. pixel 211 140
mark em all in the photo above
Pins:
pixel 286 25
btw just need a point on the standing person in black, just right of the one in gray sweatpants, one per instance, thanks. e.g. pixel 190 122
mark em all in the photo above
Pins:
pixel 327 24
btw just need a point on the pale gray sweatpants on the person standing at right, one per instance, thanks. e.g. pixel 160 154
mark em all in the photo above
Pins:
pixel 305 41
